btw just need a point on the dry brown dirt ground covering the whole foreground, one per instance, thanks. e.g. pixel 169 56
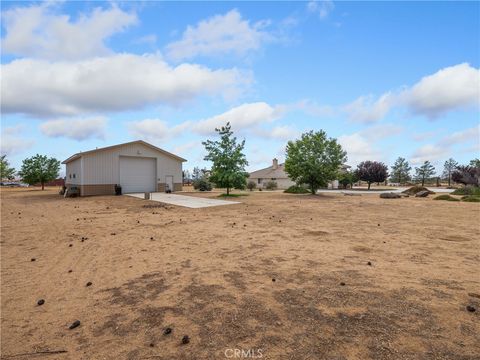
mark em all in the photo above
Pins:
pixel 264 276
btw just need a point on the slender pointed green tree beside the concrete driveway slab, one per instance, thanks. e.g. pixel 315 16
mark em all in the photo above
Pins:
pixel 229 161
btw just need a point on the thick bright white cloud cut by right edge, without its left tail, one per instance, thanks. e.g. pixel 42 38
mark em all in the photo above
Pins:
pixel 449 88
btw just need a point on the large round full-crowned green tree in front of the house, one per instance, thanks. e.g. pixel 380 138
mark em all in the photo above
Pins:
pixel 314 159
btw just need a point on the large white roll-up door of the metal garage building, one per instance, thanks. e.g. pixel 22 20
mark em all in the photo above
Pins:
pixel 137 174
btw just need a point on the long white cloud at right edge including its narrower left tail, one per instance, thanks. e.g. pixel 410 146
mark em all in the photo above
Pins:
pixel 451 88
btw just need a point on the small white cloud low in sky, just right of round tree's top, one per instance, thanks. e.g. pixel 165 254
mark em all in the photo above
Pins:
pixel 358 149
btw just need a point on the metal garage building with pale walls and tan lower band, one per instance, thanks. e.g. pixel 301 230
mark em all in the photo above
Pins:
pixel 136 166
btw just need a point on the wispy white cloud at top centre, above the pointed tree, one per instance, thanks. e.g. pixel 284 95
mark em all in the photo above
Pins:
pixel 220 34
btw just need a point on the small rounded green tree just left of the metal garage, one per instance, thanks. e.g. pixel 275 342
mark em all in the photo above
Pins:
pixel 39 169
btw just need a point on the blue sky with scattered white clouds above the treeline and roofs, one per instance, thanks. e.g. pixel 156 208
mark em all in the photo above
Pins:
pixel 386 79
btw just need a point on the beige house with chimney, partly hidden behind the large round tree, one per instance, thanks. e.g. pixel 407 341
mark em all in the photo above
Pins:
pixel 276 172
